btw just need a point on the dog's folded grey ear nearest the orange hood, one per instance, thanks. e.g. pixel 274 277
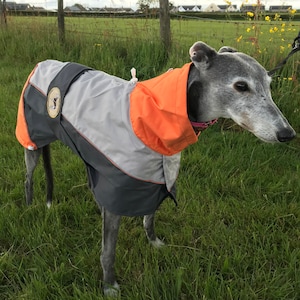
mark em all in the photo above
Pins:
pixel 202 55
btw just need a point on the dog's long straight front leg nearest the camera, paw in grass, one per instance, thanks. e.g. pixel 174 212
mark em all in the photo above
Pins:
pixel 110 229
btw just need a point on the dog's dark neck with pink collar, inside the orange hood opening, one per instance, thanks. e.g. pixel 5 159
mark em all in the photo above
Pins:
pixel 196 107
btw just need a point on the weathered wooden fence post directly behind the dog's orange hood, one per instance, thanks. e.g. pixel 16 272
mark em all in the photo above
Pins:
pixel 165 28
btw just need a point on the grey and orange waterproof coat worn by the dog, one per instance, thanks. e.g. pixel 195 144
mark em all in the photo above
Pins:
pixel 129 135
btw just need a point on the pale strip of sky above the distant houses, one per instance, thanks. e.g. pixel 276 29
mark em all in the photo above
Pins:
pixel 52 4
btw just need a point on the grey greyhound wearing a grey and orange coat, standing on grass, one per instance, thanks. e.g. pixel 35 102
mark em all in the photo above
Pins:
pixel 130 134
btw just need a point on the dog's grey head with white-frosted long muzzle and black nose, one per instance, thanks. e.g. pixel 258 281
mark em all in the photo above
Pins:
pixel 231 84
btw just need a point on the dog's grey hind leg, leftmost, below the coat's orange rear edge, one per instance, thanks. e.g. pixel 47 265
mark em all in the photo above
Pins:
pixel 31 161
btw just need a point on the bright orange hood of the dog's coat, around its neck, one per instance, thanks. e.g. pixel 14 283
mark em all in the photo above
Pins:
pixel 158 112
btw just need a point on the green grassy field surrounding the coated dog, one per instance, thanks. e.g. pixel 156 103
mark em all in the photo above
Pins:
pixel 235 233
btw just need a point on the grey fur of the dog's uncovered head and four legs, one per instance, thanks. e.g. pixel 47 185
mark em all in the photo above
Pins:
pixel 224 84
